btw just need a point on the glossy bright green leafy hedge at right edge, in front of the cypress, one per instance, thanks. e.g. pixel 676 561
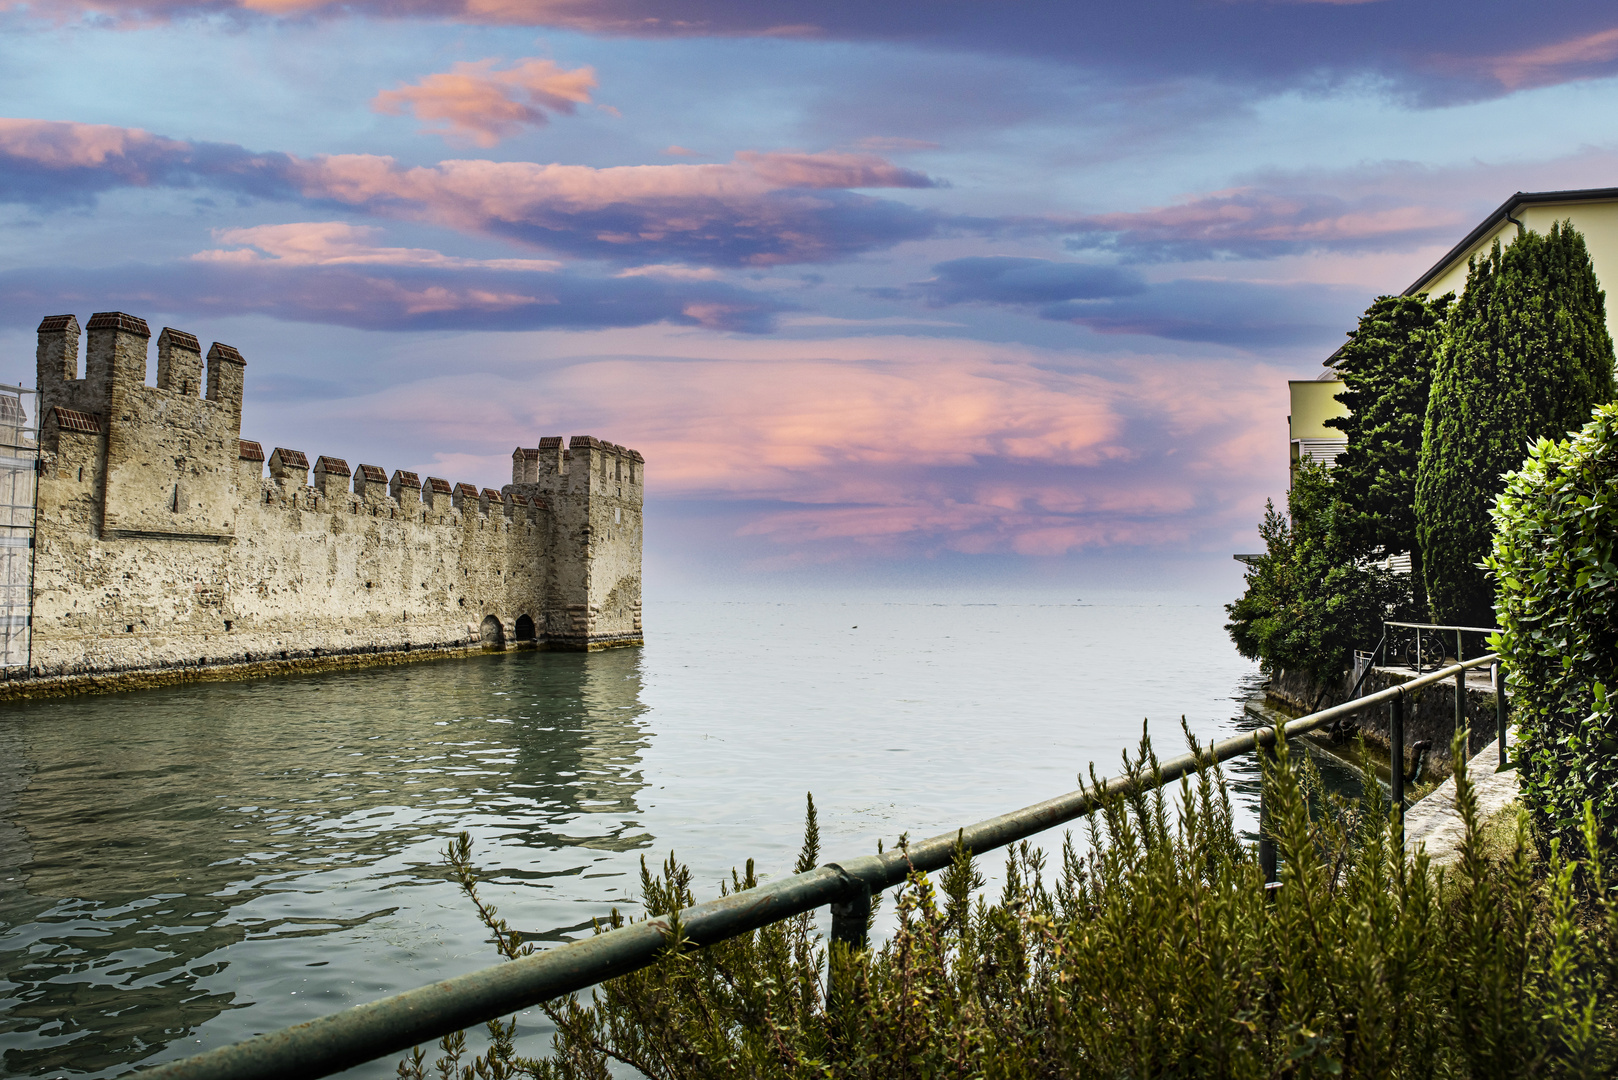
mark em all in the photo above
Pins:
pixel 1557 605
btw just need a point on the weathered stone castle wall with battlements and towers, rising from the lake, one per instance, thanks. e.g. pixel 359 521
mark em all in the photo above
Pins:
pixel 161 545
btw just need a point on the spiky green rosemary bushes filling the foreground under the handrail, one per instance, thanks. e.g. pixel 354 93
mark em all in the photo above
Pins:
pixel 1153 951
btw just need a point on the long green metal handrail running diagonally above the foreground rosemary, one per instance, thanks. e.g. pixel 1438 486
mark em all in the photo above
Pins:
pixel 392 1026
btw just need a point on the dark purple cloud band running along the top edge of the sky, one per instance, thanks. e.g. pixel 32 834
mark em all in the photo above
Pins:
pixel 1439 51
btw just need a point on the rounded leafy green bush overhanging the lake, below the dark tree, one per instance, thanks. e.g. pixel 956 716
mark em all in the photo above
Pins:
pixel 1310 602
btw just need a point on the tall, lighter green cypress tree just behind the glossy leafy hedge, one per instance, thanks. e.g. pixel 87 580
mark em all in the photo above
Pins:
pixel 1527 357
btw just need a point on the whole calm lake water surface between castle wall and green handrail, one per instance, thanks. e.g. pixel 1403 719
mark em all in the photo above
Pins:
pixel 184 869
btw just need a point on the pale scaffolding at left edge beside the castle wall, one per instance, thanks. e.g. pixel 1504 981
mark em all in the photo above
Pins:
pixel 19 490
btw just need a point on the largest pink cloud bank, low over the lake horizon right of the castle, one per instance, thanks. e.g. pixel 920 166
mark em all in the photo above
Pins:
pixel 894 446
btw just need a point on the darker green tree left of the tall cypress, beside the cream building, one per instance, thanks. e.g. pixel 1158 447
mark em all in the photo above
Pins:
pixel 1387 373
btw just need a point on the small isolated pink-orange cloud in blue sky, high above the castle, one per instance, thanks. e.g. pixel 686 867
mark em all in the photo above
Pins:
pixel 478 104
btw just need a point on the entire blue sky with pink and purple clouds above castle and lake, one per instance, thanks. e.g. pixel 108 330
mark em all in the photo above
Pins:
pixel 962 294
